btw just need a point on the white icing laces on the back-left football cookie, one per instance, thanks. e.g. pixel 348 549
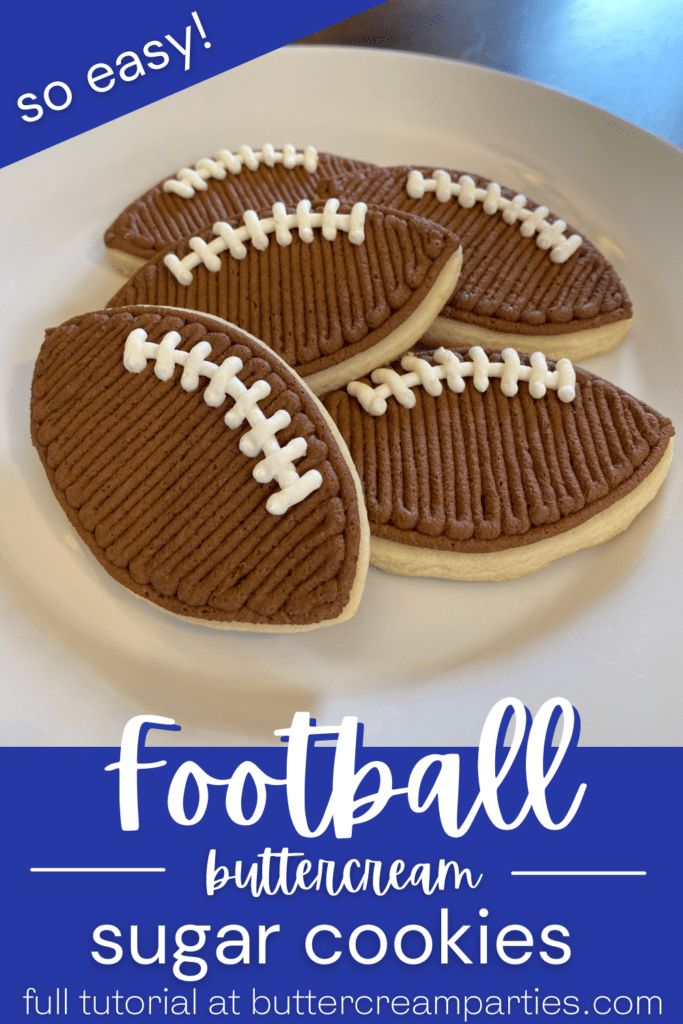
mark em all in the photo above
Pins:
pixel 190 181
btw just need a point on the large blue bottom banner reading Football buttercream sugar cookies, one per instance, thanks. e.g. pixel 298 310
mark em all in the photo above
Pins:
pixel 525 880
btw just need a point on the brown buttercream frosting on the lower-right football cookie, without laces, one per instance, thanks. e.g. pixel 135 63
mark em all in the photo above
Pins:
pixel 480 473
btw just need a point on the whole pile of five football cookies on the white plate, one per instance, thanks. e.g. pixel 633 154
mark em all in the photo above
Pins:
pixel 317 364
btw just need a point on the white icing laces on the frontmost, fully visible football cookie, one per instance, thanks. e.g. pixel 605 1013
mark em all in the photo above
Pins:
pixel 278 463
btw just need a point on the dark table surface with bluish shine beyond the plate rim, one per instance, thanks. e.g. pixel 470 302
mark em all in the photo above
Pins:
pixel 624 56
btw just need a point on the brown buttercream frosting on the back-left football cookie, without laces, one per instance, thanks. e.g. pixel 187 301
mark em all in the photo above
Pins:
pixel 159 219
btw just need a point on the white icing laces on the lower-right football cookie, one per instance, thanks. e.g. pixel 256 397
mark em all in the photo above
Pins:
pixel 453 370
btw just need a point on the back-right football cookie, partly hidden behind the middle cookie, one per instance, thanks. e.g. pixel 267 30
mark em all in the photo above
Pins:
pixel 528 278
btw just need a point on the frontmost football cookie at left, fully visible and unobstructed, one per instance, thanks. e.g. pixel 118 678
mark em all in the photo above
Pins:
pixel 200 471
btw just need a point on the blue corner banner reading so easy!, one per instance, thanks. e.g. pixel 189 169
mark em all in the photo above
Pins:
pixel 69 68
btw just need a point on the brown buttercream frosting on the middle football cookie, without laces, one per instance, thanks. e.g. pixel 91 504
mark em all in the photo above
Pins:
pixel 317 305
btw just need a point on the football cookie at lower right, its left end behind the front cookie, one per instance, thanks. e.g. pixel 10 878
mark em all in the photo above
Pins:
pixel 479 465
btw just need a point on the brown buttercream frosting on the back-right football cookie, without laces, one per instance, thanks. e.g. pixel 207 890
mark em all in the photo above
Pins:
pixel 507 284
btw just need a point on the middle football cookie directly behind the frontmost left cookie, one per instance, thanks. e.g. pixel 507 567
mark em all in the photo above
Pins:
pixel 334 292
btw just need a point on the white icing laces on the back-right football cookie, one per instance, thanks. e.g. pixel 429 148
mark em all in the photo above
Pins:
pixel 550 235
